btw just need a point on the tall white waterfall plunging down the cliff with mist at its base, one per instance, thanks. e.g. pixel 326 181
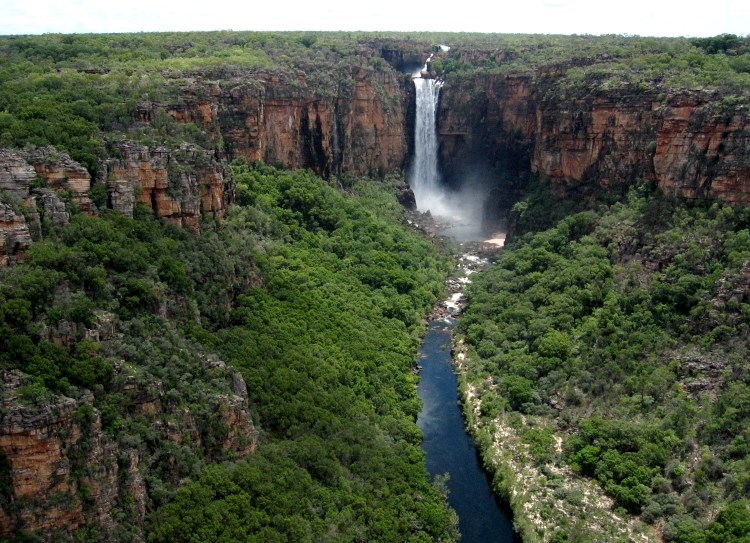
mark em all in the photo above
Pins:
pixel 463 209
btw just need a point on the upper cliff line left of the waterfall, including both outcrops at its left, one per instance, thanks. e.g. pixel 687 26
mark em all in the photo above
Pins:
pixel 357 125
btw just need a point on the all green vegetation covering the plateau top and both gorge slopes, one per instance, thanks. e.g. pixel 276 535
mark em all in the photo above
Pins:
pixel 622 330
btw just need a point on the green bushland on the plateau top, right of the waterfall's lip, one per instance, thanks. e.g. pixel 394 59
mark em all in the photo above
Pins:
pixel 588 63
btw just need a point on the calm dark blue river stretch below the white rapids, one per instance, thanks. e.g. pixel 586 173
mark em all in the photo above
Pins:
pixel 450 449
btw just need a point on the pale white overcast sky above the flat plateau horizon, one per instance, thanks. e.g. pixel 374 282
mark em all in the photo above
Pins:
pixel 642 17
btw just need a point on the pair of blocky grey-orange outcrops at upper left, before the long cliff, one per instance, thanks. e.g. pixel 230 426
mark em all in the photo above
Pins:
pixel 40 185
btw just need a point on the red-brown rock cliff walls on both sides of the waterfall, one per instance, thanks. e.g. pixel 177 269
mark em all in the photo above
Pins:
pixel 691 143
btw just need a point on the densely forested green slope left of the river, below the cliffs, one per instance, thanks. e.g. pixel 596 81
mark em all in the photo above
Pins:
pixel 315 295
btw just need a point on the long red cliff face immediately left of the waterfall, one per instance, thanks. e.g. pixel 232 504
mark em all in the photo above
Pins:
pixel 359 125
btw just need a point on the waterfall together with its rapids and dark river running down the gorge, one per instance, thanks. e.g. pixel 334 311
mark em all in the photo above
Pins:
pixel 448 447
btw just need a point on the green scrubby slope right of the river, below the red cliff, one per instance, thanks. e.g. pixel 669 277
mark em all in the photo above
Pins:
pixel 625 332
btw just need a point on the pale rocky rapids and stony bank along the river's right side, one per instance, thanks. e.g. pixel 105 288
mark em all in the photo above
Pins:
pixel 545 498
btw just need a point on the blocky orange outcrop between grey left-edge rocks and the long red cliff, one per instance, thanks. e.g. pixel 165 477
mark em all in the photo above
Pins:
pixel 179 185
